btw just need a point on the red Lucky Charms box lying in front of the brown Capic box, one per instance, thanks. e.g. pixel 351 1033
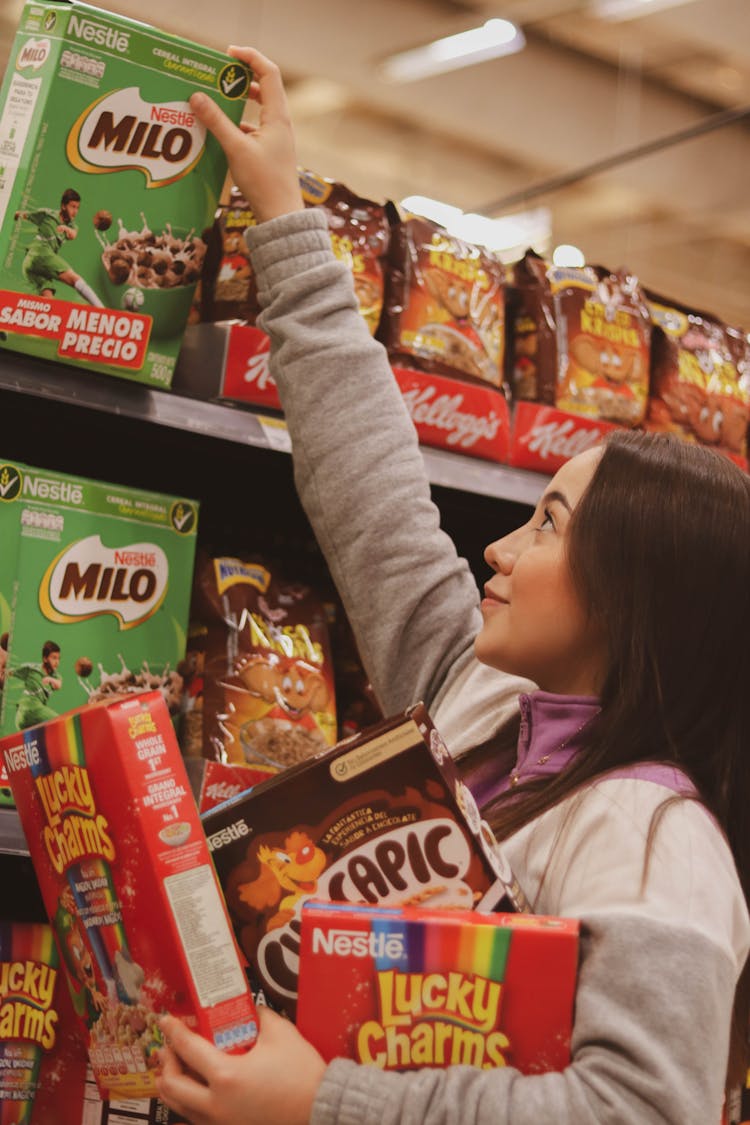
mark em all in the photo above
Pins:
pixel 408 988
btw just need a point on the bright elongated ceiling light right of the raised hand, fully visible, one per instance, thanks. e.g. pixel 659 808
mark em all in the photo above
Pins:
pixel 493 40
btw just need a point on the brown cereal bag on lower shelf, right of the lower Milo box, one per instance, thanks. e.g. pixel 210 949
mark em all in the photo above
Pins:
pixel 264 694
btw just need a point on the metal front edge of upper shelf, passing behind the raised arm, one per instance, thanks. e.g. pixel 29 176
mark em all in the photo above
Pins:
pixel 243 426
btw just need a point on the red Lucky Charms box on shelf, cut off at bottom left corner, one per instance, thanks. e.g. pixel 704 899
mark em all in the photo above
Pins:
pixel 42 1052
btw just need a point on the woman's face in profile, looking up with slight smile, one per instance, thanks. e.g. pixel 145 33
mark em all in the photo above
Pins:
pixel 535 624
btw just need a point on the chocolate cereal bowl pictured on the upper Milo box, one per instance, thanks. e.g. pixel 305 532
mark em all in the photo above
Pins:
pixel 153 273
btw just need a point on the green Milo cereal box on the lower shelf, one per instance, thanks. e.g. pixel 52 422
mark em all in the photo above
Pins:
pixel 95 592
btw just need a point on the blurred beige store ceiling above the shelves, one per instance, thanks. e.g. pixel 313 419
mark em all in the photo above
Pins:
pixel 544 129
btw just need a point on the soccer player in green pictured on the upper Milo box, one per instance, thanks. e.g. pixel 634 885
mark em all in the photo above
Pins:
pixel 44 266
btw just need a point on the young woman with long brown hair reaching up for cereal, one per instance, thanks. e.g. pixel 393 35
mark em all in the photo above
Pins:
pixel 598 700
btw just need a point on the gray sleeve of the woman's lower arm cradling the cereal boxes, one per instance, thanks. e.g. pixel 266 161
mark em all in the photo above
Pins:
pixel 650 1047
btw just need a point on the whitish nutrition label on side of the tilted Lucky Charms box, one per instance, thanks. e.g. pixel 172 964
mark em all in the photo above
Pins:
pixel 202 923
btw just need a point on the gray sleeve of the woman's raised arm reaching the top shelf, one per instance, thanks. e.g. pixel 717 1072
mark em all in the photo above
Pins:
pixel 412 601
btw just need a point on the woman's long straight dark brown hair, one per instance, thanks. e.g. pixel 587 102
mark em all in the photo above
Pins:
pixel 659 552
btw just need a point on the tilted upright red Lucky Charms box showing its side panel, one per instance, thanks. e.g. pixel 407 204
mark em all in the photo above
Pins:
pixel 129 886
